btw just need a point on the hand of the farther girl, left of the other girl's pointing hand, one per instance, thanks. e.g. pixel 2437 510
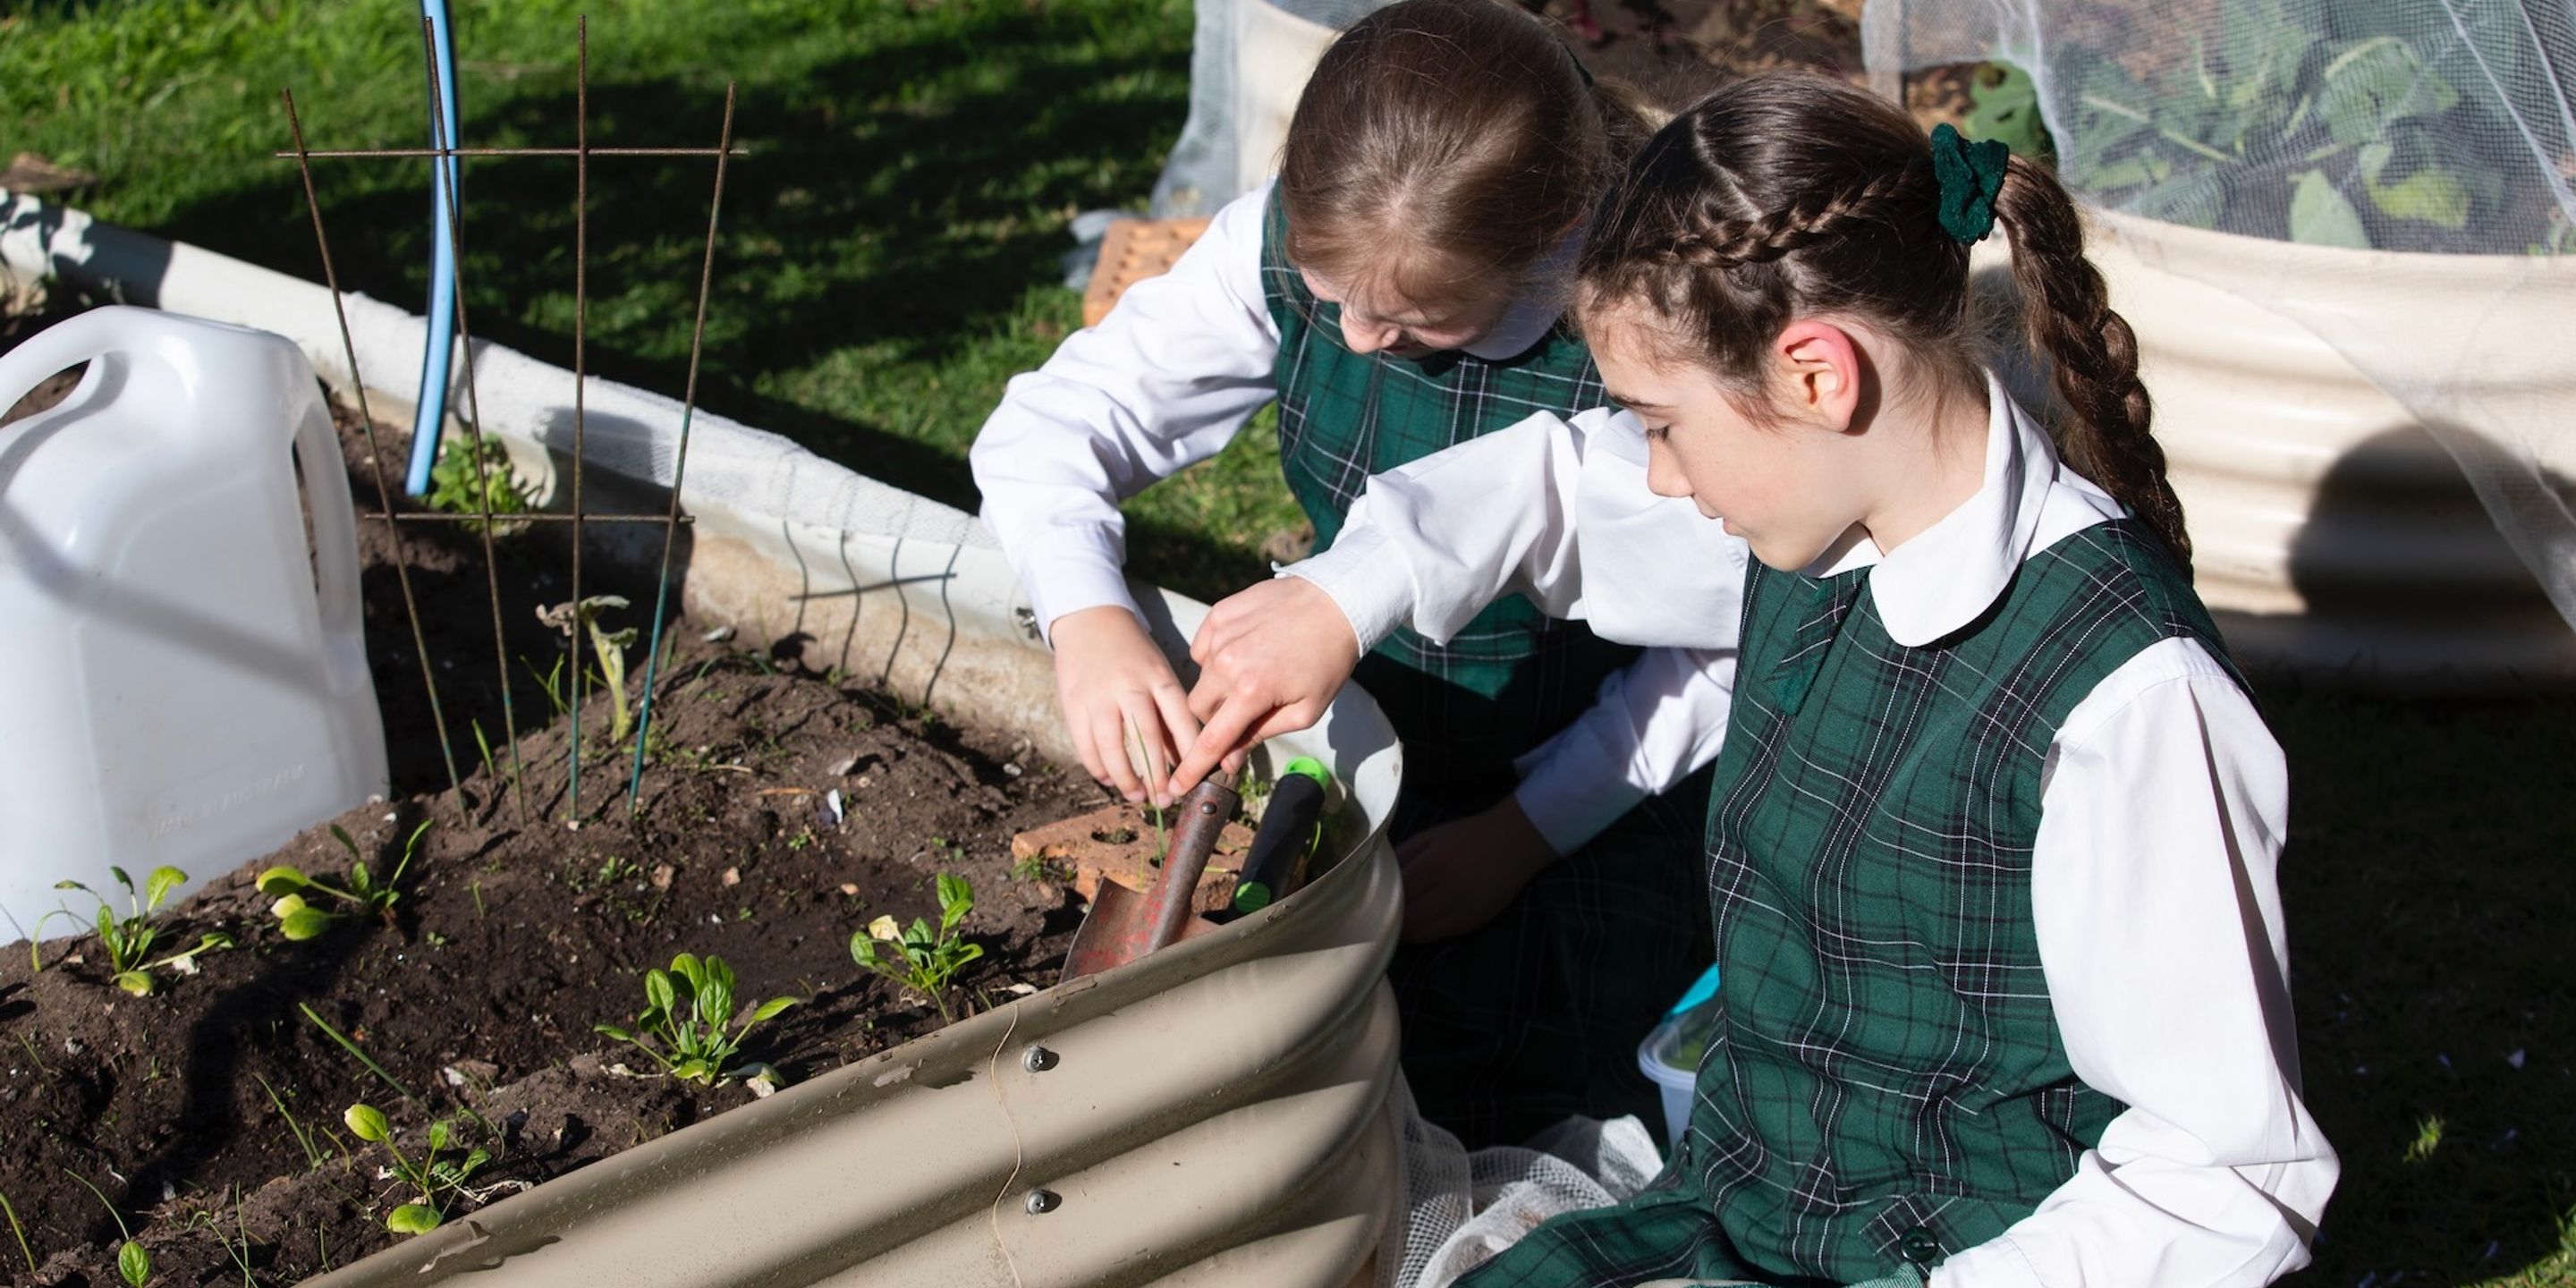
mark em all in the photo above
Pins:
pixel 1122 699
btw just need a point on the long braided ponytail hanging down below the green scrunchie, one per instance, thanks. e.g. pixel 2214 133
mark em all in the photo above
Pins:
pixel 2096 357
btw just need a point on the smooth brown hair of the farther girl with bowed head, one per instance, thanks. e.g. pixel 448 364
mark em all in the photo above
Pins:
pixel 1449 148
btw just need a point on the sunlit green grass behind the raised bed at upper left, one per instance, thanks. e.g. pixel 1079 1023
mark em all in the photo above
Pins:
pixel 890 246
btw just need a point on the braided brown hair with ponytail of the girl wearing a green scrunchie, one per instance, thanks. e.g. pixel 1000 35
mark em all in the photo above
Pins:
pixel 1792 194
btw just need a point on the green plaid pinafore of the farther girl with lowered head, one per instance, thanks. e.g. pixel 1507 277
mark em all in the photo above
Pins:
pixel 1513 676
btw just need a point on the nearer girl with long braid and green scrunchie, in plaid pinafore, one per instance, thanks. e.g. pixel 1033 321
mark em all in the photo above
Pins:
pixel 1995 826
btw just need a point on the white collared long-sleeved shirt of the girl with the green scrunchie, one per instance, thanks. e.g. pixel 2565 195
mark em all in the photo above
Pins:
pixel 2152 875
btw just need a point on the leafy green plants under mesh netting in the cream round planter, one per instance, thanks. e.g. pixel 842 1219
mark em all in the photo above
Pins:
pixel 2400 125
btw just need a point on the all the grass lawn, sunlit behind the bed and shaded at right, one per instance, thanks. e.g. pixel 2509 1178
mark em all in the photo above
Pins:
pixel 890 261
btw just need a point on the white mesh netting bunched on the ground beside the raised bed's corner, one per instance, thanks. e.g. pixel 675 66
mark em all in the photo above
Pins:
pixel 1462 1209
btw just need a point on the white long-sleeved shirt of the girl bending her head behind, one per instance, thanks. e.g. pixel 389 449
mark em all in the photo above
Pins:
pixel 1166 383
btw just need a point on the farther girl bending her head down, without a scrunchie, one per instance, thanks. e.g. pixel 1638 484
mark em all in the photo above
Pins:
pixel 1400 292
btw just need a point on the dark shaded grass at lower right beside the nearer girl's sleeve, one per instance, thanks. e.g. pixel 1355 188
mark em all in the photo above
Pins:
pixel 2430 903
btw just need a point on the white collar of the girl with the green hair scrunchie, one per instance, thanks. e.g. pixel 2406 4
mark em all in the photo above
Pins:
pixel 1954 571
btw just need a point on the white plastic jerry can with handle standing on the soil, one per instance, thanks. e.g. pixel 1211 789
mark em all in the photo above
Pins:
pixel 182 676
